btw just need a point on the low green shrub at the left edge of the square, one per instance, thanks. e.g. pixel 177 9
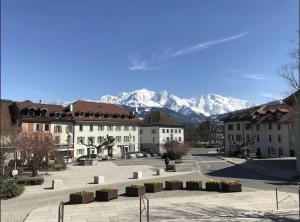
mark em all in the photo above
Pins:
pixel 10 189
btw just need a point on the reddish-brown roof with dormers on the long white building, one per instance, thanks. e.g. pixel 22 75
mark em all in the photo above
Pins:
pixel 95 111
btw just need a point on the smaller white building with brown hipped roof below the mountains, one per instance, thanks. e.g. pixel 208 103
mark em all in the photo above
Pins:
pixel 157 129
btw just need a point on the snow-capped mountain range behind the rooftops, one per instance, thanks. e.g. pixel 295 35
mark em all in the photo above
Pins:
pixel 211 104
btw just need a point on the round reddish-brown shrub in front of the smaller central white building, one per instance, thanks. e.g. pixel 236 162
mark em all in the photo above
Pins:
pixel 176 150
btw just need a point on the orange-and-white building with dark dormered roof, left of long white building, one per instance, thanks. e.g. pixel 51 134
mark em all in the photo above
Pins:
pixel 47 120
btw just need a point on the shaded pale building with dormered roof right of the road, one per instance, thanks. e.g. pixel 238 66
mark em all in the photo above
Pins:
pixel 265 130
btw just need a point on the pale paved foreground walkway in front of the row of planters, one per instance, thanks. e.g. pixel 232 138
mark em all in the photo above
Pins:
pixel 243 206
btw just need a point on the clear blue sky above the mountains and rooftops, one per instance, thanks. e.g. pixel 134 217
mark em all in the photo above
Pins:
pixel 65 50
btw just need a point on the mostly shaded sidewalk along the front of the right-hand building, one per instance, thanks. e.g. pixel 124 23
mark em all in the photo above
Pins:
pixel 262 169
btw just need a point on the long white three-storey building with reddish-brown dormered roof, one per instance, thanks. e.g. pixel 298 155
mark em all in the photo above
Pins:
pixel 93 122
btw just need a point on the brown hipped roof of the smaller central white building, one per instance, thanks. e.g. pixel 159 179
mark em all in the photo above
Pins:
pixel 159 119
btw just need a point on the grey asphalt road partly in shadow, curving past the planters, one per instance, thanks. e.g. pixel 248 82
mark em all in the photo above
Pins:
pixel 209 166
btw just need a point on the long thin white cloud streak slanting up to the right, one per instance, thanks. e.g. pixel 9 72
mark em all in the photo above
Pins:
pixel 156 59
